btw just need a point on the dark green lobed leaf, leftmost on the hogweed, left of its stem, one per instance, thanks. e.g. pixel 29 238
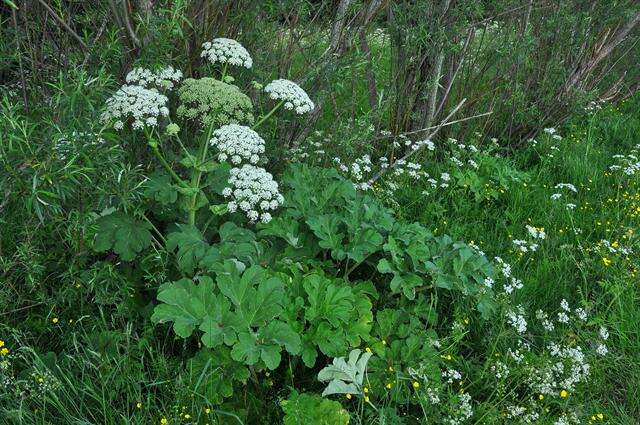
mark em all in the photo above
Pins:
pixel 124 235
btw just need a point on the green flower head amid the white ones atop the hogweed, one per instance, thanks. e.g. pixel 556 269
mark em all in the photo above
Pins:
pixel 213 103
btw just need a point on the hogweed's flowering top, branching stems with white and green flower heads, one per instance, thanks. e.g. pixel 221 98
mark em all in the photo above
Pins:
pixel 220 118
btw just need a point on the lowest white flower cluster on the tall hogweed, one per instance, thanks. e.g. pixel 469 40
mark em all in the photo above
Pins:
pixel 253 191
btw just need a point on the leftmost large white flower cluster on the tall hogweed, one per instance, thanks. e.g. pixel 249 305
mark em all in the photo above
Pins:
pixel 145 106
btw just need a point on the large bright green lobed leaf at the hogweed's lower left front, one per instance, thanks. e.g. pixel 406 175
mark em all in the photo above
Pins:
pixel 240 310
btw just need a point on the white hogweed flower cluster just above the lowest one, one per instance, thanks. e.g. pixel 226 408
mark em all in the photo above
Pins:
pixel 237 143
